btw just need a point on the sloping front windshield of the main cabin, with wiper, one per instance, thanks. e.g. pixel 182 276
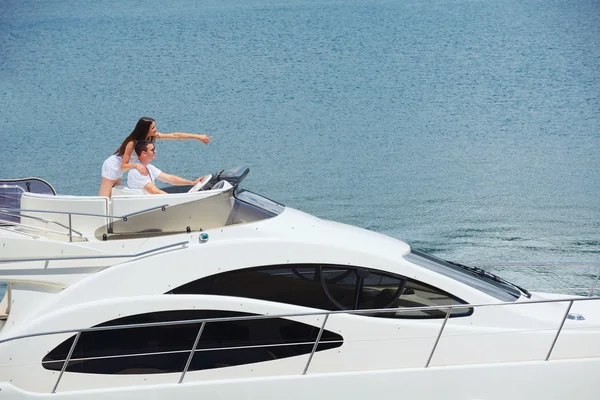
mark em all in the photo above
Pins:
pixel 477 278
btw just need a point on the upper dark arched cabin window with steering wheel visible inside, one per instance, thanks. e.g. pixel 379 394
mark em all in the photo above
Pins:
pixel 329 287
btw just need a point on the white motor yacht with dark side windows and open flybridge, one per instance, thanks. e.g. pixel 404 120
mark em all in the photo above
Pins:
pixel 223 293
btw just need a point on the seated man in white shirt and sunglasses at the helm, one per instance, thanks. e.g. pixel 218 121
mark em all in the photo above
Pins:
pixel 146 152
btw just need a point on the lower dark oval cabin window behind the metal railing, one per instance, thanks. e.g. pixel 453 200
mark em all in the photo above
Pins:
pixel 165 349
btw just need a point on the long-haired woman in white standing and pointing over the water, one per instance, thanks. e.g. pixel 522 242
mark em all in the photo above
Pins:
pixel 125 158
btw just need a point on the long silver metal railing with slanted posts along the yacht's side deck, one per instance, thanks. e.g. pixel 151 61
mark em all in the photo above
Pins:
pixel 203 322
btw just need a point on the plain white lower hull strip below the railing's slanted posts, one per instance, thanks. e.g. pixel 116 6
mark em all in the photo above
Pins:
pixel 523 380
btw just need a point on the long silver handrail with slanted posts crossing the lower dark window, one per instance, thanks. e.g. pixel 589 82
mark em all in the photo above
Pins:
pixel 204 321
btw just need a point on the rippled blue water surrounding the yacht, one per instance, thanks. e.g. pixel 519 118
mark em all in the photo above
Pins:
pixel 470 129
